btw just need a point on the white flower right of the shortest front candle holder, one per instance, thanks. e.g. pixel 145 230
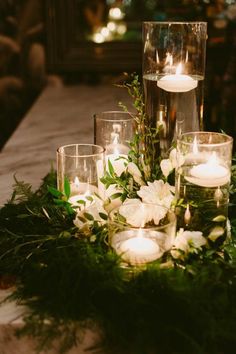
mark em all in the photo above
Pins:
pixel 187 242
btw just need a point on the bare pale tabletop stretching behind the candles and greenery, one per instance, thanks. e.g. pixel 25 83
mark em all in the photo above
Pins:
pixel 60 116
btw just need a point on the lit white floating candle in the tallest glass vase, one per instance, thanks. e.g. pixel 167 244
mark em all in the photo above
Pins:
pixel 177 82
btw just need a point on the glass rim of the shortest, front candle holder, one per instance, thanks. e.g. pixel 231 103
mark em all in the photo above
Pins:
pixel 147 228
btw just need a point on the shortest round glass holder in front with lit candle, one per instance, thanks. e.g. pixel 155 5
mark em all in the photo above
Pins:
pixel 145 240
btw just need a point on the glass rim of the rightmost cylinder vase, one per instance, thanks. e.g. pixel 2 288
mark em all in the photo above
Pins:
pixel 229 139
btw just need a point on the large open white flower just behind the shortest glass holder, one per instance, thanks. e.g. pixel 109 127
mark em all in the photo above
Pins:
pixel 157 192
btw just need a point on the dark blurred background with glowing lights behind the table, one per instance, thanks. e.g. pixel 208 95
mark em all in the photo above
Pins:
pixel 56 42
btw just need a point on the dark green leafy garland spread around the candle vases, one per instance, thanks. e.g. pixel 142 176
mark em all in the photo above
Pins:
pixel 71 280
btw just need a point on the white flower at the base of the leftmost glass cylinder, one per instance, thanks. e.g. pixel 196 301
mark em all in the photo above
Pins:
pixel 94 210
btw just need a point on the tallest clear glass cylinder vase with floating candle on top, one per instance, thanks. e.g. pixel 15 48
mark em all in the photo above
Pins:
pixel 173 75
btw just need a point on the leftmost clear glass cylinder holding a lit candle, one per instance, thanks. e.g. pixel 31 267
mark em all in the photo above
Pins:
pixel 79 167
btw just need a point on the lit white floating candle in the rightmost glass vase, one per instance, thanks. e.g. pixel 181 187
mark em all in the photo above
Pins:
pixel 209 174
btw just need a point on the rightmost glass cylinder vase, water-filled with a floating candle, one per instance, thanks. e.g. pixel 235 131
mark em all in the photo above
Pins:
pixel 203 176
